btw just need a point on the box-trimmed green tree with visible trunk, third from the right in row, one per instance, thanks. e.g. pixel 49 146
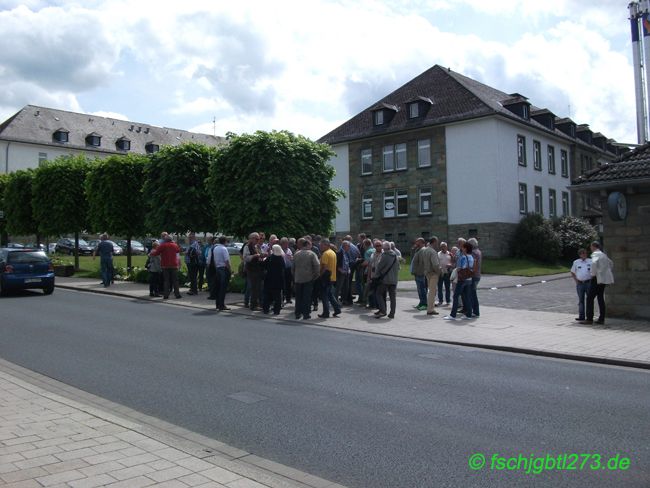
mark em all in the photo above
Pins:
pixel 114 194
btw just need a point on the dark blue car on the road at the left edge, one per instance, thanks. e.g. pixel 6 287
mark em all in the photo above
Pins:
pixel 24 268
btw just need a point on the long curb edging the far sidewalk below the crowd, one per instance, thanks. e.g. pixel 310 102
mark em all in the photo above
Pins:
pixel 492 347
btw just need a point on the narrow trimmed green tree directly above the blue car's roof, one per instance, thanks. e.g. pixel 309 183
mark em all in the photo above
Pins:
pixel 17 199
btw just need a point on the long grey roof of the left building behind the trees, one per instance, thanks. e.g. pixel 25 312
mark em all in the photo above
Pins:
pixel 36 125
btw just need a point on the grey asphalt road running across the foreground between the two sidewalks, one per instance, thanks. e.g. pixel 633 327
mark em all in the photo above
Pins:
pixel 361 410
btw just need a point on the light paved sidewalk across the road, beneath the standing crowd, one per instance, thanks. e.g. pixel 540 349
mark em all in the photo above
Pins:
pixel 619 341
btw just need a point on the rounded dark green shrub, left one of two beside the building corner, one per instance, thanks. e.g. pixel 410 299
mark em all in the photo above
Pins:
pixel 535 238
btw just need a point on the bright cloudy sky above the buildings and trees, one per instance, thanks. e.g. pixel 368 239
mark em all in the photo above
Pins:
pixel 308 66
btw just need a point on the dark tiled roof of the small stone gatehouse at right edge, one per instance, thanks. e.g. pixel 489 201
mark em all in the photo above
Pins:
pixel 633 167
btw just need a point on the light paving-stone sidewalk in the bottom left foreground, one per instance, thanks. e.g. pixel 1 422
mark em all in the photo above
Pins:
pixel 48 439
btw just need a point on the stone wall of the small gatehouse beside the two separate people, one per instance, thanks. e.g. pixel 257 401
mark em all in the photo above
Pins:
pixel 626 243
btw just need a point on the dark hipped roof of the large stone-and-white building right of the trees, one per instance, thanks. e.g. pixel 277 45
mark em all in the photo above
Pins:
pixel 455 98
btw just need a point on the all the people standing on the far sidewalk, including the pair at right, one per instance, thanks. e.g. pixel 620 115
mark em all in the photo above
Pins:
pixel 313 270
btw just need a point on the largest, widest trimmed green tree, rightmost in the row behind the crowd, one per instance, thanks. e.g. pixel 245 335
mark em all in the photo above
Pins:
pixel 273 181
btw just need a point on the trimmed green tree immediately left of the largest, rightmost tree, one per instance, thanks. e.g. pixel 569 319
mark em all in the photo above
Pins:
pixel 175 191
